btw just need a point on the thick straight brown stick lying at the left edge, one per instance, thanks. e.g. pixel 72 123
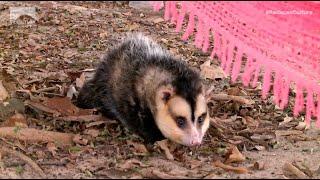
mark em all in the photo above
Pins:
pixel 35 135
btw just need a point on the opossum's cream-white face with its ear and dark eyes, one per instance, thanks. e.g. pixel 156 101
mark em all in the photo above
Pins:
pixel 176 120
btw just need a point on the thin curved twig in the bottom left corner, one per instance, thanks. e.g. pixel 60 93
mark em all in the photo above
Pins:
pixel 25 158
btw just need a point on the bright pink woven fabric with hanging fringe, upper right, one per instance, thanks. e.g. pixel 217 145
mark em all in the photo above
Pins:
pixel 282 48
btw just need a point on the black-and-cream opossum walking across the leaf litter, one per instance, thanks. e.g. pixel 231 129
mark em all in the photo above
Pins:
pixel 151 92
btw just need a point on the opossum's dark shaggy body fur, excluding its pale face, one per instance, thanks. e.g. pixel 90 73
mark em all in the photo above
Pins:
pixel 126 81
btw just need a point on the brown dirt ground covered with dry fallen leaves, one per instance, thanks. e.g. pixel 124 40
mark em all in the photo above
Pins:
pixel 46 58
